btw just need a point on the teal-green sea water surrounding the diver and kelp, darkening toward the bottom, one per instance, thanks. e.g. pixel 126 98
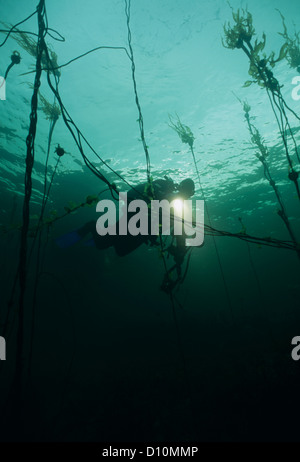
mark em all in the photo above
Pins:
pixel 111 360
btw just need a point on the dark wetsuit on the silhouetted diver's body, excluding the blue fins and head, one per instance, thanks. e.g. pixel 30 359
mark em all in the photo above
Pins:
pixel 162 188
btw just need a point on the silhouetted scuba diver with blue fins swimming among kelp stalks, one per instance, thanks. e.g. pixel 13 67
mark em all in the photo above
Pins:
pixel 124 244
